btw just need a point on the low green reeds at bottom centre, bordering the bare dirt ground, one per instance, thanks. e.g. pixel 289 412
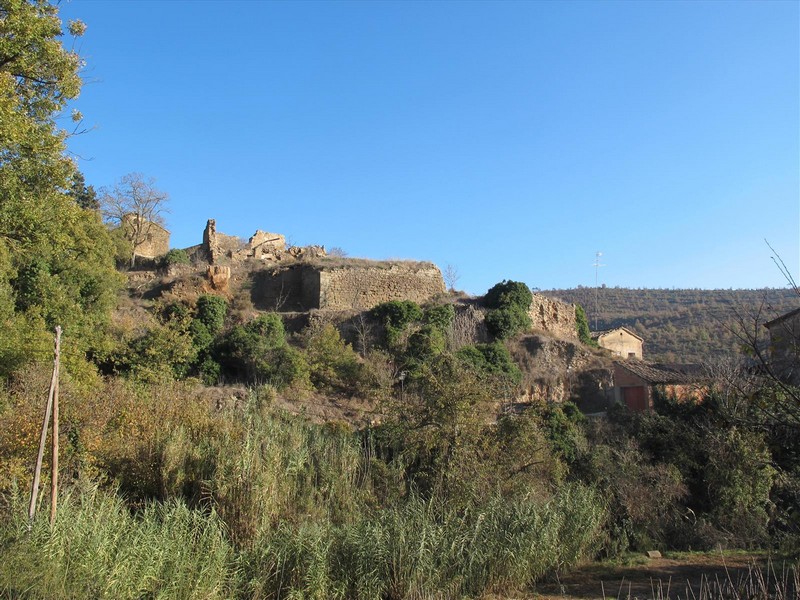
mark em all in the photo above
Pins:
pixel 422 549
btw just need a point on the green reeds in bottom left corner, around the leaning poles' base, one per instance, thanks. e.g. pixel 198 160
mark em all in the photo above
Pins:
pixel 98 549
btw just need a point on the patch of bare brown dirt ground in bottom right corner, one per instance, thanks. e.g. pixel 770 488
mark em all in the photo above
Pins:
pixel 673 577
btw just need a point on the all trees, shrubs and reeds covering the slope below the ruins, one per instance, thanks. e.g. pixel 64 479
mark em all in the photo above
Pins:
pixel 188 464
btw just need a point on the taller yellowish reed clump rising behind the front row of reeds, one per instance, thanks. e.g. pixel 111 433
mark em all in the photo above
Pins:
pixel 265 467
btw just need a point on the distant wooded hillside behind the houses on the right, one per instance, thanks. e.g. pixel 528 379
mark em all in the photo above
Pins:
pixel 679 325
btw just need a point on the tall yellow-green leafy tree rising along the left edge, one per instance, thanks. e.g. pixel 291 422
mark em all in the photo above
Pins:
pixel 56 260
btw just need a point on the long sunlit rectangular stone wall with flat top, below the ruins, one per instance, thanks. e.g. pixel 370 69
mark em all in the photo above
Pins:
pixel 362 285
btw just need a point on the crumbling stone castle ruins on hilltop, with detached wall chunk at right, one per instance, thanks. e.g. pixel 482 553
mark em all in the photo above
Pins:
pixel 299 279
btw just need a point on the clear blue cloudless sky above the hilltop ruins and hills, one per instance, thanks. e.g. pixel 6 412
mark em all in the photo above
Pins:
pixel 511 140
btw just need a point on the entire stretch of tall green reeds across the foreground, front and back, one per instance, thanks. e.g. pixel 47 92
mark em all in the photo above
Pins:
pixel 253 503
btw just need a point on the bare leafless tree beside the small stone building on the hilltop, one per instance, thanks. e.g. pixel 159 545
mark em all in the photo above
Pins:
pixel 136 205
